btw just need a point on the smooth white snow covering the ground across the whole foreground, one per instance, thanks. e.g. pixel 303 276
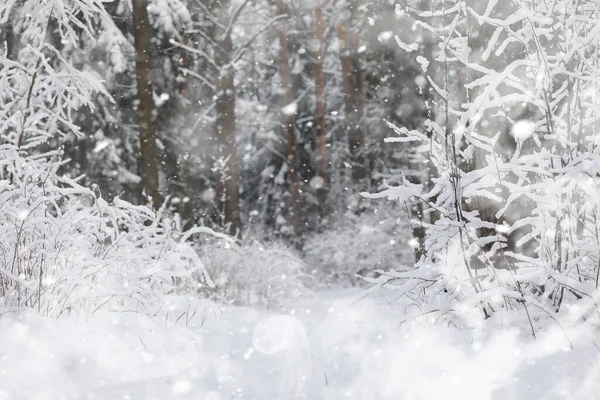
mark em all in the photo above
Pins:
pixel 327 347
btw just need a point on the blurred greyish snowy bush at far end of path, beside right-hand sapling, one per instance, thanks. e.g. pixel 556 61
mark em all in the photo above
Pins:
pixel 354 245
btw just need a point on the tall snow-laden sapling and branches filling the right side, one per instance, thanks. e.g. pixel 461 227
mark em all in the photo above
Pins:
pixel 513 150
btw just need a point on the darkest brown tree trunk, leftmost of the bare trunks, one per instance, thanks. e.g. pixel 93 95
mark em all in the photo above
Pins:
pixel 147 130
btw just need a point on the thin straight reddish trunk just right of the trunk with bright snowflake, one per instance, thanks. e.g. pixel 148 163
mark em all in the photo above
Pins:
pixel 321 137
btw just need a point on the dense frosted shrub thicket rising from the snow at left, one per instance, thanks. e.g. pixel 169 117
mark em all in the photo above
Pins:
pixel 63 248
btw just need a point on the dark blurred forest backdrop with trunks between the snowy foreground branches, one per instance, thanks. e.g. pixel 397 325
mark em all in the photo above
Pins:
pixel 263 118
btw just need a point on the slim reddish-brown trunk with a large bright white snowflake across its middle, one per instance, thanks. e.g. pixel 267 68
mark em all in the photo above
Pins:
pixel 289 112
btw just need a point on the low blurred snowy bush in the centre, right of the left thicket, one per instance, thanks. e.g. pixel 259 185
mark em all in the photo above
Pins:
pixel 253 273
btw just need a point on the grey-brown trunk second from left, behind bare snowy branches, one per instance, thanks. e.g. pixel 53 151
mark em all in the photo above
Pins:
pixel 227 184
